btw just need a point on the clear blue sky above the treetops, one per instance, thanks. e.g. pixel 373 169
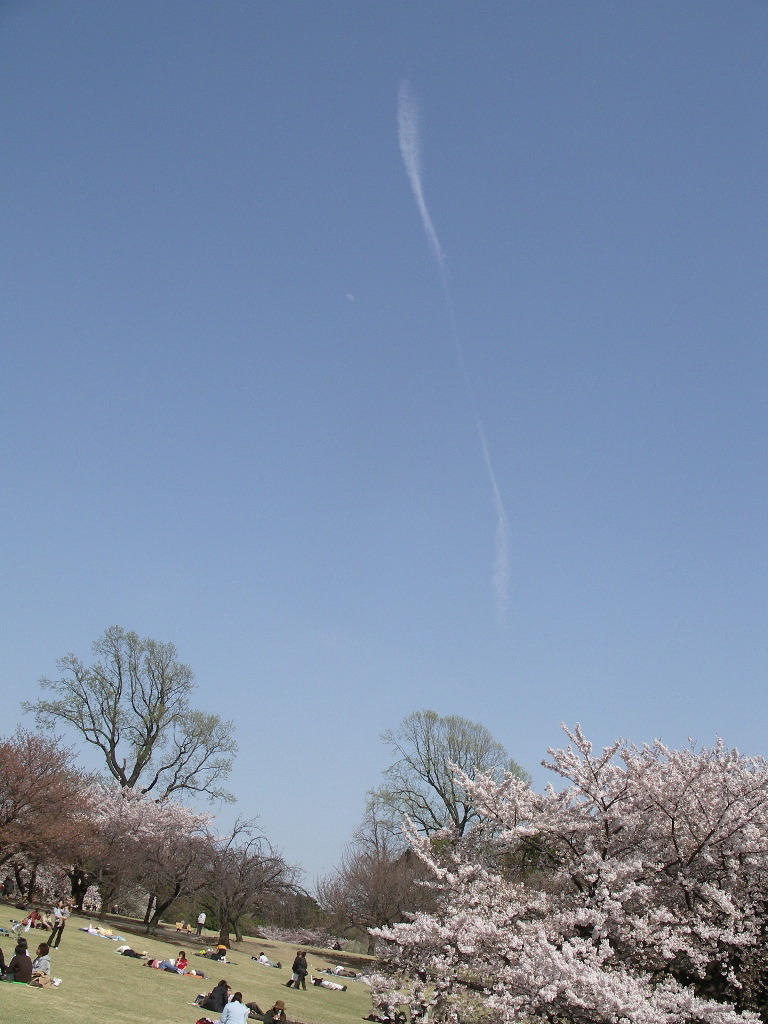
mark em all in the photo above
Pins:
pixel 252 407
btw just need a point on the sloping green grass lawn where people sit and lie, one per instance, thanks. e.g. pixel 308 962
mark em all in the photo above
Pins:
pixel 98 986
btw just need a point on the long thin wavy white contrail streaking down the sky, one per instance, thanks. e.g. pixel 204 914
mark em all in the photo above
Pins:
pixel 408 136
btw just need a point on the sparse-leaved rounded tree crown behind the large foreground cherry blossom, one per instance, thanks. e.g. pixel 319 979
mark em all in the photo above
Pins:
pixel 421 784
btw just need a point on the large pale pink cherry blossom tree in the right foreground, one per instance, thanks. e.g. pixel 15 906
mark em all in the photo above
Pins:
pixel 636 893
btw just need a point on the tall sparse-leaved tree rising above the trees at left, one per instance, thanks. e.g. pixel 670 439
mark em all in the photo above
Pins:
pixel 134 705
